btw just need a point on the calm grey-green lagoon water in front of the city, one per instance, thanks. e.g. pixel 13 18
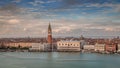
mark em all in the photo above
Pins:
pixel 58 60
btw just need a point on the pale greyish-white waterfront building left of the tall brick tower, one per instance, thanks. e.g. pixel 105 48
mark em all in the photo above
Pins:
pixel 36 47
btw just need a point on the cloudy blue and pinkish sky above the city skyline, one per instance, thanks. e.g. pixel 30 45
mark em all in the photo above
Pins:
pixel 30 18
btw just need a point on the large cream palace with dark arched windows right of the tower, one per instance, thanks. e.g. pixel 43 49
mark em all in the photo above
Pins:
pixel 68 46
